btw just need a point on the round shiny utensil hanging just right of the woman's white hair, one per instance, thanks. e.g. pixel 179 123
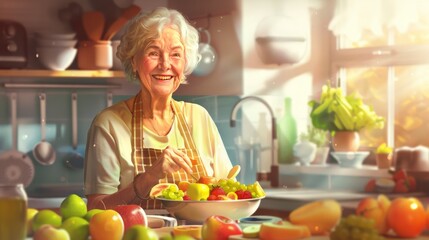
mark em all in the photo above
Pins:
pixel 208 56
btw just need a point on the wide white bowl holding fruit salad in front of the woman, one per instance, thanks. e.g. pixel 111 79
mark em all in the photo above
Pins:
pixel 199 211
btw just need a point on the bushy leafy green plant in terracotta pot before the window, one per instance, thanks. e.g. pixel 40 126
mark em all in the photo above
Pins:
pixel 343 116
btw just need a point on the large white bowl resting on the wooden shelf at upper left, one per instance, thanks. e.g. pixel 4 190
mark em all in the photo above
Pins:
pixel 56 58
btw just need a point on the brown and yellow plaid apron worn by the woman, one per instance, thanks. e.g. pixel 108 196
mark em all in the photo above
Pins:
pixel 145 157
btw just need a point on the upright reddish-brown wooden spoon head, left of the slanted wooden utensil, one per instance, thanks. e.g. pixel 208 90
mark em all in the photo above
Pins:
pixel 93 23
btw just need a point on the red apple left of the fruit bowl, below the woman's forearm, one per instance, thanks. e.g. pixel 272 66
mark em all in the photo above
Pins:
pixel 132 215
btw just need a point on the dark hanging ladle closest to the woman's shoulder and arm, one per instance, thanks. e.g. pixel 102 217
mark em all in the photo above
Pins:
pixel 75 160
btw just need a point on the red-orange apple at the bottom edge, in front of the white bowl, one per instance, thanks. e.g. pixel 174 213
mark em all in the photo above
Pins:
pixel 219 228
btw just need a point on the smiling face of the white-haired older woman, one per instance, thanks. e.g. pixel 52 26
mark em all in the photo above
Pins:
pixel 160 66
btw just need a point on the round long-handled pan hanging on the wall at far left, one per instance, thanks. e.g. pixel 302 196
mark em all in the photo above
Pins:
pixel 15 166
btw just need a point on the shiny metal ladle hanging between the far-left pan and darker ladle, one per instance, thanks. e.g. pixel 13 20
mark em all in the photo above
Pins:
pixel 43 152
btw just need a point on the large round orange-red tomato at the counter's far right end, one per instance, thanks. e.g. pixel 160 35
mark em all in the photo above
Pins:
pixel 406 217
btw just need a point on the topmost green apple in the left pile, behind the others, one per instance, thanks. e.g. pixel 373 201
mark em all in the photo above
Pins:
pixel 73 206
